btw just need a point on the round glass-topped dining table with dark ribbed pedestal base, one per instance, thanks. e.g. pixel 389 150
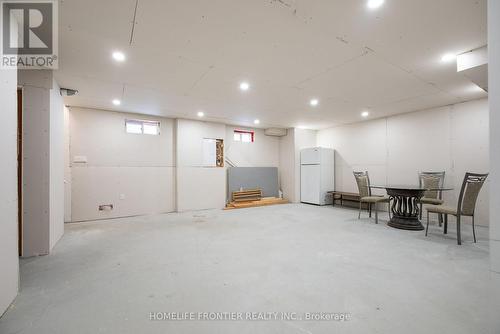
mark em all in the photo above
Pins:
pixel 405 201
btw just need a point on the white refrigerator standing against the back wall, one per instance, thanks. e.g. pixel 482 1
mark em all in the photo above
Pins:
pixel 317 175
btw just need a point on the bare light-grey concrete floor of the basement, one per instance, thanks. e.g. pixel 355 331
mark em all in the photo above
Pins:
pixel 107 276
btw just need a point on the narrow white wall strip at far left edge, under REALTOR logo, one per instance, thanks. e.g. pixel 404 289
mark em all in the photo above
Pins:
pixel 9 260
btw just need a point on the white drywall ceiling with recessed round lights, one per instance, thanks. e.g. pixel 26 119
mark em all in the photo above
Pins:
pixel 187 56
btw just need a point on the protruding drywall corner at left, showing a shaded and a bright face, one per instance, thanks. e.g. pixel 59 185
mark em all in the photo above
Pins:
pixel 43 165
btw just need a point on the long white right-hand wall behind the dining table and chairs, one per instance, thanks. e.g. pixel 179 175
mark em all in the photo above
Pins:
pixel 394 149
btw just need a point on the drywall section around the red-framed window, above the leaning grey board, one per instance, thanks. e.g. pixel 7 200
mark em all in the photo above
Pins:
pixel 264 152
